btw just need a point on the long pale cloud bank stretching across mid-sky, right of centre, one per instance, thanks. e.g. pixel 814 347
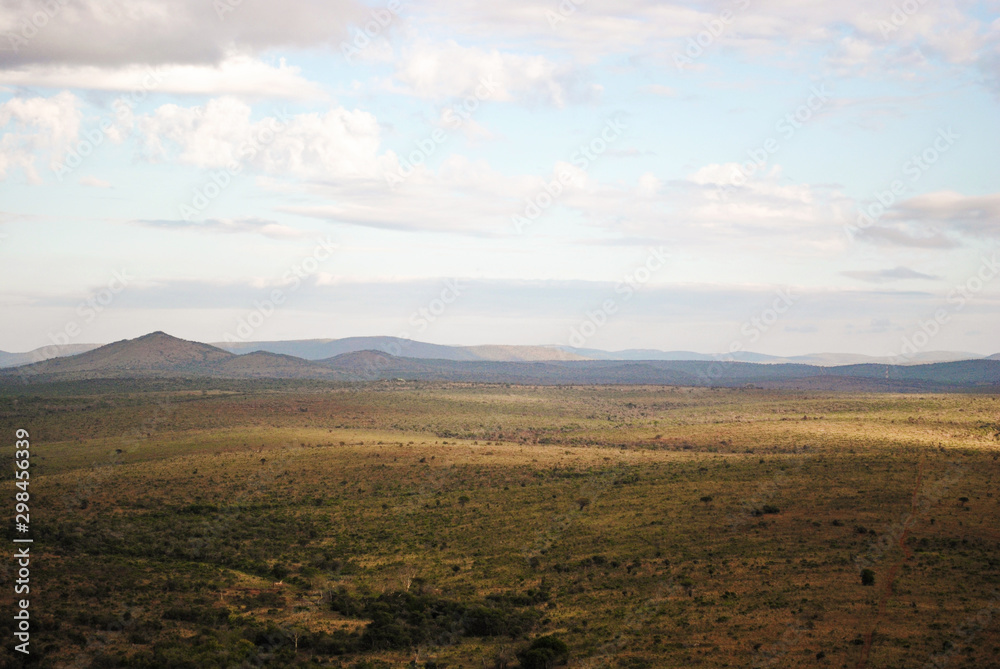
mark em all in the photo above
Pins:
pixel 470 197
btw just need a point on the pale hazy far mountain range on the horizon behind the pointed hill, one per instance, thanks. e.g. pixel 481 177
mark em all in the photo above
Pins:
pixel 322 349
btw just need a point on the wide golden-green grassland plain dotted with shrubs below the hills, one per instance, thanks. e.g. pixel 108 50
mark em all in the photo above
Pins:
pixel 218 524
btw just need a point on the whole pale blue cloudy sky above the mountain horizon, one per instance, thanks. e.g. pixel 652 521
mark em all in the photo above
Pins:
pixel 779 177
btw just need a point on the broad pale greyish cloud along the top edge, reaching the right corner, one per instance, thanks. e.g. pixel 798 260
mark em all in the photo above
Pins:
pixel 850 36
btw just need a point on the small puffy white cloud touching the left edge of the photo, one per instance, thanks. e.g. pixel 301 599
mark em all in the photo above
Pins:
pixel 37 127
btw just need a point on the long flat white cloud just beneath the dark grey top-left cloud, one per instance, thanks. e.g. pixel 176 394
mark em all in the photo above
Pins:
pixel 235 75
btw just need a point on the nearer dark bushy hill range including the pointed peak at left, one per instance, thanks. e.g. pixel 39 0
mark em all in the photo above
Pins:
pixel 159 355
